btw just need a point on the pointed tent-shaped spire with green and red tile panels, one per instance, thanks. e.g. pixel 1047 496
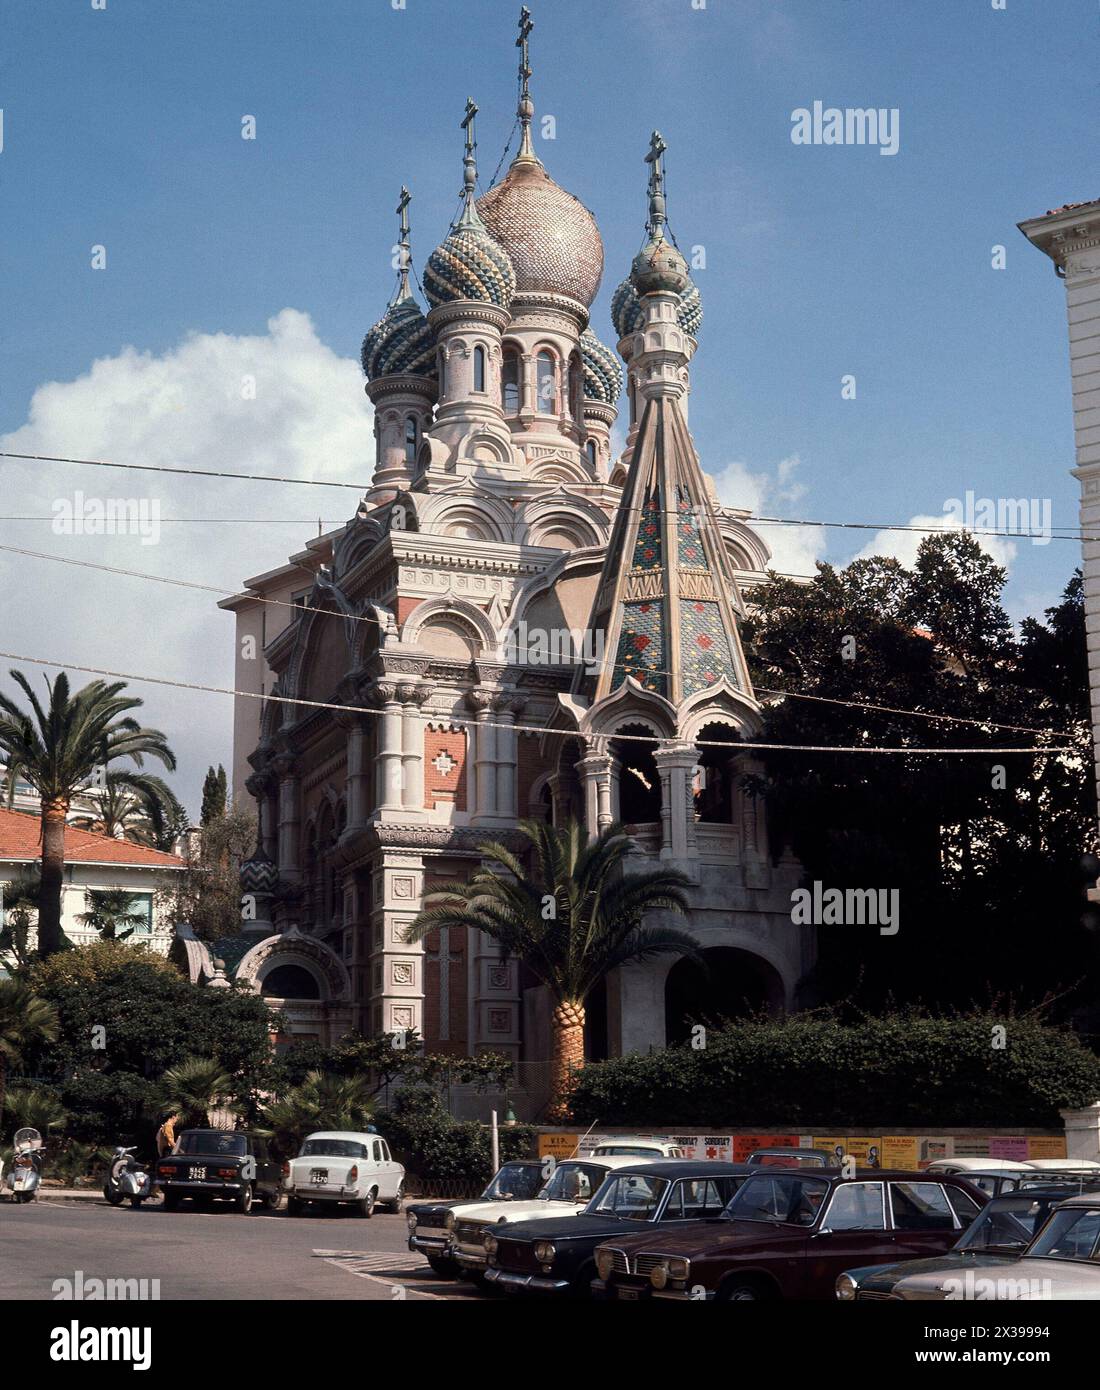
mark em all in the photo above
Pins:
pixel 668 601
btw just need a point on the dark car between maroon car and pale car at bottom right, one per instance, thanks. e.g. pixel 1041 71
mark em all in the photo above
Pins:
pixel 1001 1232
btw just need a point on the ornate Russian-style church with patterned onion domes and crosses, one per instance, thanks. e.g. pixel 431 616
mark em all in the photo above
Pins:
pixel 499 523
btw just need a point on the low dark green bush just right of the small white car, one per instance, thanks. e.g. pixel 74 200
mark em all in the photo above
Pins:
pixel 433 1146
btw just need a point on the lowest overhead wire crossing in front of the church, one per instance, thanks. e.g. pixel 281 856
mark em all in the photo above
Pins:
pixel 535 729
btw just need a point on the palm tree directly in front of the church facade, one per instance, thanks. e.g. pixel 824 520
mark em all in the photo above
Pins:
pixel 571 918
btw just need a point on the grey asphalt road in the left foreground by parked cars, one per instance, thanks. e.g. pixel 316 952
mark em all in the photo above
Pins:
pixel 216 1254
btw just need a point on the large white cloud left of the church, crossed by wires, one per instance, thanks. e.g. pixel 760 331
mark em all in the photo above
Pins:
pixel 188 407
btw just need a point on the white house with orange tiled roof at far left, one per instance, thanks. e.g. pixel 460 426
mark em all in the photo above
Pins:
pixel 94 862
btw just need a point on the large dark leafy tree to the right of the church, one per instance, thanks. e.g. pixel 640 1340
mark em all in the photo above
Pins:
pixel 985 851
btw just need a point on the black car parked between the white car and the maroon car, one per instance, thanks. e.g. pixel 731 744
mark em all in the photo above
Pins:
pixel 557 1256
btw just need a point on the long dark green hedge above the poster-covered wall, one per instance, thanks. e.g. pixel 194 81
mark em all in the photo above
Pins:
pixel 902 1070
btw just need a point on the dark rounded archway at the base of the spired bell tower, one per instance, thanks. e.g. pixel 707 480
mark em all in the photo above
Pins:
pixel 728 985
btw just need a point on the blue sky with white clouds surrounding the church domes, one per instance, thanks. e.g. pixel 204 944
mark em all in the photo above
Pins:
pixel 122 129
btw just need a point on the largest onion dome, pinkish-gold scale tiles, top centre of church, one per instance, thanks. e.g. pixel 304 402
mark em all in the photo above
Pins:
pixel 551 238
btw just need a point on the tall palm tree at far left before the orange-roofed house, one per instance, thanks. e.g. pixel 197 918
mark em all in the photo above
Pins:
pixel 56 750
